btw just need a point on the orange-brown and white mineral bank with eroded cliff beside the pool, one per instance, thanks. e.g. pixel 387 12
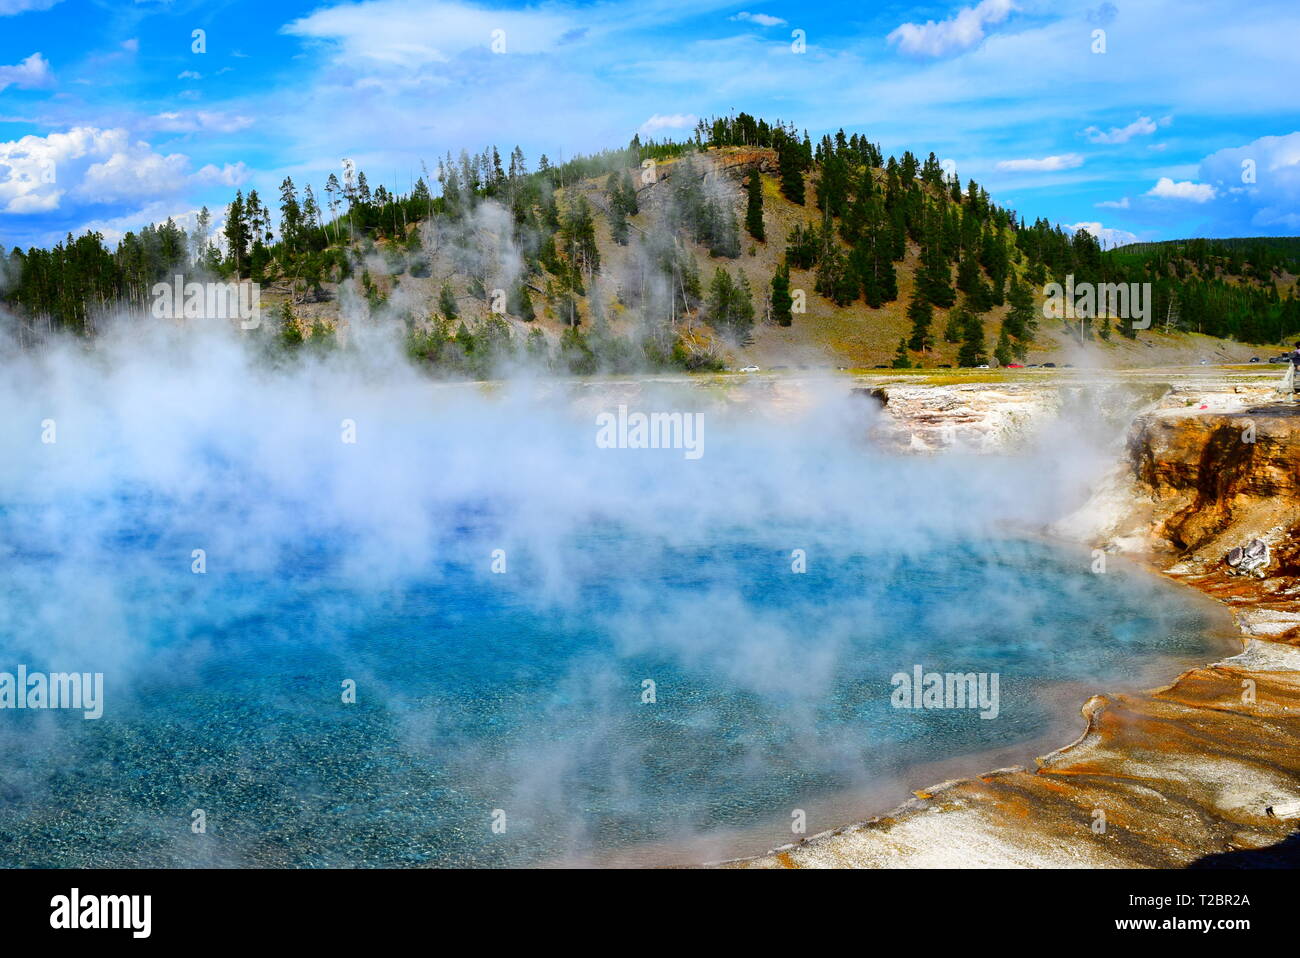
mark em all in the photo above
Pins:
pixel 1186 775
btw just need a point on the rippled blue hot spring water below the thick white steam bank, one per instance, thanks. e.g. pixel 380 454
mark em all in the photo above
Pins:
pixel 519 692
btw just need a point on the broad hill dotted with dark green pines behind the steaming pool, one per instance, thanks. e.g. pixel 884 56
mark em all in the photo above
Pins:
pixel 661 255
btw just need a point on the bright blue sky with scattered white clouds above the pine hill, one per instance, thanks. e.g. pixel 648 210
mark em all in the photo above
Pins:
pixel 1188 124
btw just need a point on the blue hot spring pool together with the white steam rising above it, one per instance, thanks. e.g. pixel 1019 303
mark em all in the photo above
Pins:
pixel 476 691
